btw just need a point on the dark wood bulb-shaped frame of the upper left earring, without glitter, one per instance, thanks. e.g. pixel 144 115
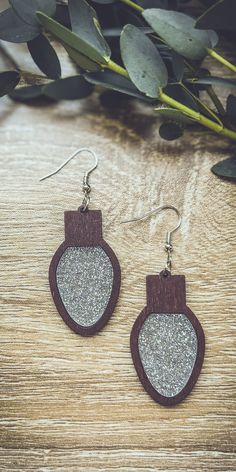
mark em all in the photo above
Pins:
pixel 84 229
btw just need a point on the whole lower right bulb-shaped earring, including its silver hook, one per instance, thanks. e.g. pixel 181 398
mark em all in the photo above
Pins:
pixel 167 340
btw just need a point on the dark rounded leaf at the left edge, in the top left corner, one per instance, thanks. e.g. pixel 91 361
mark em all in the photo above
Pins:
pixel 14 30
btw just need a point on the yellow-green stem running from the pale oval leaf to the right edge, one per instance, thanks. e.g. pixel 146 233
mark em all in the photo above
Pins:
pixel 197 116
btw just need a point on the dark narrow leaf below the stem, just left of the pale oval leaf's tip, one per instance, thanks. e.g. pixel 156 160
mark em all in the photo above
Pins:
pixel 113 81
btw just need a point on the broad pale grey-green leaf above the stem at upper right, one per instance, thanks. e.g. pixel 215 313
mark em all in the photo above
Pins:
pixel 178 31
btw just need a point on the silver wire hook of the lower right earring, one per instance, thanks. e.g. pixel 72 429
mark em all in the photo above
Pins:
pixel 168 243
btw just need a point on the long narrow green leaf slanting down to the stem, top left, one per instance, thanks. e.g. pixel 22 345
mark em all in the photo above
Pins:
pixel 70 39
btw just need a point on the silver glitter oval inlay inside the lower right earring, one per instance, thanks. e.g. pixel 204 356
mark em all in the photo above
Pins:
pixel 168 350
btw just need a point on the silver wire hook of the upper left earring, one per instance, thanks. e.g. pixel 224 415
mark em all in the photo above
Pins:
pixel 86 187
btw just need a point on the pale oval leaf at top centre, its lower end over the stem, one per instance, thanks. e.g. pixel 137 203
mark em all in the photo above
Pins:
pixel 142 61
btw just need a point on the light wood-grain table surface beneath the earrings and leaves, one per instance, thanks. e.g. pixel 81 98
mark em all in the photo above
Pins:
pixel 75 404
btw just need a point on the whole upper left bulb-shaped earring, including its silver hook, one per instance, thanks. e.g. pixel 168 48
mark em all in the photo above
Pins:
pixel 84 273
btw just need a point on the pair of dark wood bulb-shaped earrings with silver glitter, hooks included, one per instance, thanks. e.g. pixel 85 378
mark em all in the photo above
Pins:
pixel 167 340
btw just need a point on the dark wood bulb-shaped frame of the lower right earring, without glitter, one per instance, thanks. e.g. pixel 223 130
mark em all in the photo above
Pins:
pixel 166 294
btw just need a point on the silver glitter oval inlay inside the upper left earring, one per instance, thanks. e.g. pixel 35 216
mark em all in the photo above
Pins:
pixel 84 279
